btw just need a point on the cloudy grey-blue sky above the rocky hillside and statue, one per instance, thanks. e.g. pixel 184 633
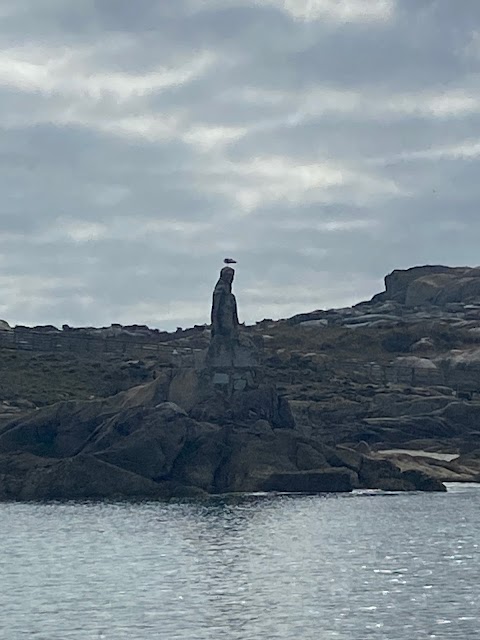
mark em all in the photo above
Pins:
pixel 320 143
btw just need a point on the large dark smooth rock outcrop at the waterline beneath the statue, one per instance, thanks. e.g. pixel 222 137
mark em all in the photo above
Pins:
pixel 153 450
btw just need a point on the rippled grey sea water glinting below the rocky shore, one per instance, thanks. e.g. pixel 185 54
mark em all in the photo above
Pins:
pixel 353 567
